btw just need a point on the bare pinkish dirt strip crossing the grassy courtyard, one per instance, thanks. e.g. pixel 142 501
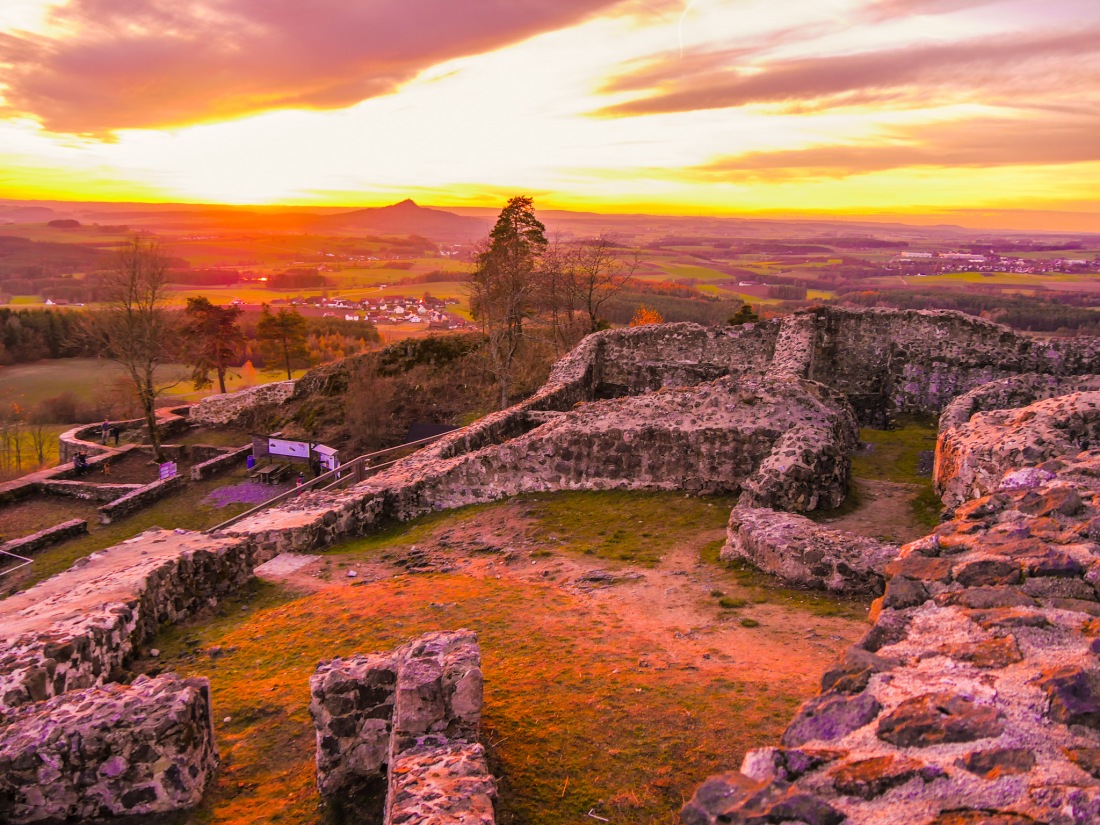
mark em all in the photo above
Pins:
pixel 672 606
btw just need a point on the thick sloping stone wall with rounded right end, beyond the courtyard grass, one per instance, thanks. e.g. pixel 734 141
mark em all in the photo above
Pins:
pixel 784 444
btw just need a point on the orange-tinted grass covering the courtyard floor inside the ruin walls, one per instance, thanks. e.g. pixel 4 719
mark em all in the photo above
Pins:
pixel 573 721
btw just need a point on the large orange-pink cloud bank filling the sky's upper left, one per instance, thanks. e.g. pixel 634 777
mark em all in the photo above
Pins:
pixel 125 64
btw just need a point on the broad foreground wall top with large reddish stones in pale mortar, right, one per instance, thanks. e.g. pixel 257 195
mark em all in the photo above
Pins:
pixel 975 698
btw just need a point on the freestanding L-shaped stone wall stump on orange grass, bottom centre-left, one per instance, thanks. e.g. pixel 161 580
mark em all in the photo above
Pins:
pixel 398 734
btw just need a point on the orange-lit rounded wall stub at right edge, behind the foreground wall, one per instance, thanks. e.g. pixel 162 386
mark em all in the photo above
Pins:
pixel 973 459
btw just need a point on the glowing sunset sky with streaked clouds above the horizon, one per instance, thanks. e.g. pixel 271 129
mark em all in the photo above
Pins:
pixel 983 113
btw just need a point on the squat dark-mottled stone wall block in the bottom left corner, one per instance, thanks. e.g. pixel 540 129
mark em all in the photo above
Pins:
pixel 117 751
